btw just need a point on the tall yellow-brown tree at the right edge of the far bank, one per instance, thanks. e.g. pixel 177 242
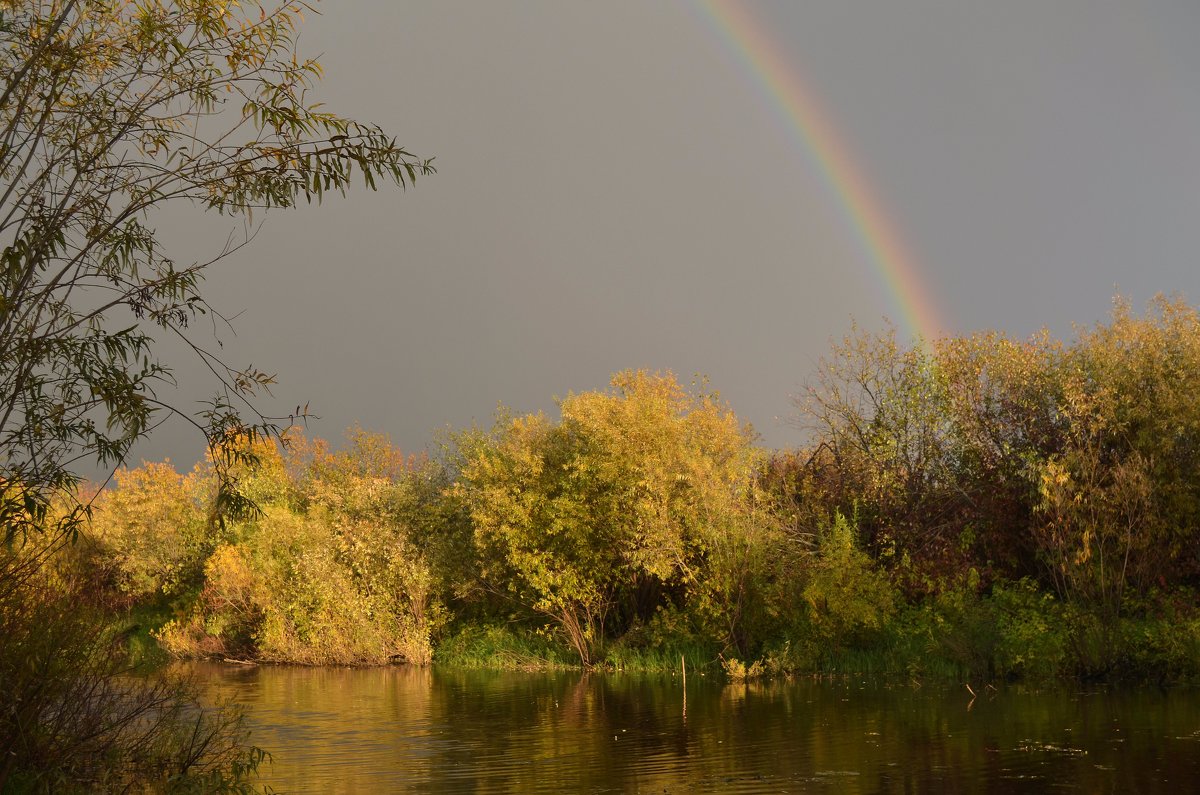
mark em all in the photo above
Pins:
pixel 1119 498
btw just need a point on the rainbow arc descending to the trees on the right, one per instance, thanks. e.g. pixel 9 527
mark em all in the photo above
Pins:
pixel 799 109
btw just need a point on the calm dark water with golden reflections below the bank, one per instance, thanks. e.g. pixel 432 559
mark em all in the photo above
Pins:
pixel 400 730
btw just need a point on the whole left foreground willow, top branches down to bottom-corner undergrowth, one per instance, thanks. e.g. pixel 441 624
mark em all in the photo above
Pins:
pixel 110 111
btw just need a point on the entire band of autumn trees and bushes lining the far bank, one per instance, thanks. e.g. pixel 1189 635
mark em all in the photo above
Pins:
pixel 981 507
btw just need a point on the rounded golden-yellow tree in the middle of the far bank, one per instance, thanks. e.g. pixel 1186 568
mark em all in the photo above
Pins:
pixel 601 518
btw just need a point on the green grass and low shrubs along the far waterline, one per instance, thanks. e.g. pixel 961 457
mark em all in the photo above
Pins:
pixel 1015 633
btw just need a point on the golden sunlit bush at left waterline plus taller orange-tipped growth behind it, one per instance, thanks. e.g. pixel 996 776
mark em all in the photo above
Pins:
pixel 332 578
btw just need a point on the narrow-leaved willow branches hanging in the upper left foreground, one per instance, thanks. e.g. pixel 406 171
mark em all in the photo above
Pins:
pixel 111 110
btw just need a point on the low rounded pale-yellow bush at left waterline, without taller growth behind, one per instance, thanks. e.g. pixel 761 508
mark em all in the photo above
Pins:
pixel 299 589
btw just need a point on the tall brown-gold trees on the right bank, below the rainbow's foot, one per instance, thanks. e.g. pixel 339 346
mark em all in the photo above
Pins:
pixel 1075 463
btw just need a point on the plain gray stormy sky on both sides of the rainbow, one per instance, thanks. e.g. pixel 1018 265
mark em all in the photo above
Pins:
pixel 615 192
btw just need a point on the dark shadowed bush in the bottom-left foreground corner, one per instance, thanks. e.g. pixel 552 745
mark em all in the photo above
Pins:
pixel 77 719
